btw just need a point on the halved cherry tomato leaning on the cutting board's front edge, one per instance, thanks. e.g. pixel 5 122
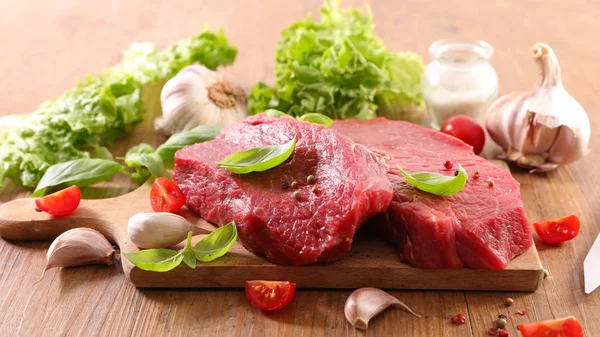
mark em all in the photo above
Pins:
pixel 270 295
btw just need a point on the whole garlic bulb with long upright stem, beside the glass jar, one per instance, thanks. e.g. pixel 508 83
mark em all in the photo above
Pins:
pixel 543 128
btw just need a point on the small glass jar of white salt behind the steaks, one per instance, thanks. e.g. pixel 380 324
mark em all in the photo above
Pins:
pixel 459 81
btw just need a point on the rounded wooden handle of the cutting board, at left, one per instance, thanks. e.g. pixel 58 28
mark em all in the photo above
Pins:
pixel 21 220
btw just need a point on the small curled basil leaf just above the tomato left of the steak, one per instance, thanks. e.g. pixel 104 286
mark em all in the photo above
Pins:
pixel 145 161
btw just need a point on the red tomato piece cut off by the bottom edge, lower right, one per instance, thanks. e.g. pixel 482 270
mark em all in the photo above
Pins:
pixel 565 327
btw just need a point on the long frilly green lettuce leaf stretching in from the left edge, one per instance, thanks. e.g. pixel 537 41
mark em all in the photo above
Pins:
pixel 99 109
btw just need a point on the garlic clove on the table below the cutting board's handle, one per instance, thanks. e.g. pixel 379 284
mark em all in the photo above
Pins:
pixel 78 247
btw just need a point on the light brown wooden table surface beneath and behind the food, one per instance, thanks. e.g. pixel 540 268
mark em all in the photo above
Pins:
pixel 45 46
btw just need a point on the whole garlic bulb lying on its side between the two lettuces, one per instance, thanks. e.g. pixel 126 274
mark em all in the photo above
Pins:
pixel 199 96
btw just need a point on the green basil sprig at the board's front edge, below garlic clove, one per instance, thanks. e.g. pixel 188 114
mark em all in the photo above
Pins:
pixel 213 246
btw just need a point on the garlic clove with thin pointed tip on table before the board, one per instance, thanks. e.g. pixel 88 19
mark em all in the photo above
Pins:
pixel 366 303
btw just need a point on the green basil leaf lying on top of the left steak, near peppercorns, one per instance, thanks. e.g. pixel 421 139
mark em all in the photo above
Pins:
pixel 258 159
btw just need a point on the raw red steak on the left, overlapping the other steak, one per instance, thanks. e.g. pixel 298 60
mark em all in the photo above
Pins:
pixel 351 186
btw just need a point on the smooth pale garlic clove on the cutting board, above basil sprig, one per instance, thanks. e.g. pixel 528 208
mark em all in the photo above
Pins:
pixel 157 230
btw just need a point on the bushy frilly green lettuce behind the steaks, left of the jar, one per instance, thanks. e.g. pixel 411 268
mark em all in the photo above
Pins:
pixel 339 67
